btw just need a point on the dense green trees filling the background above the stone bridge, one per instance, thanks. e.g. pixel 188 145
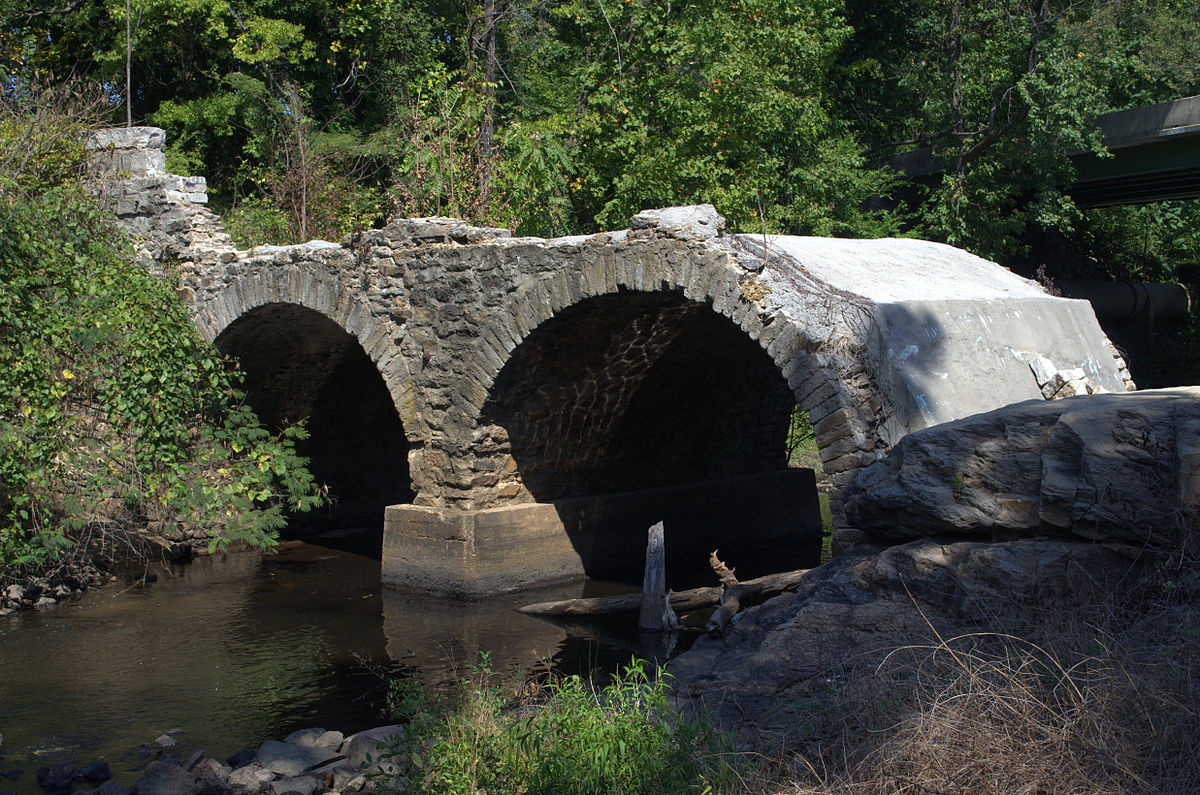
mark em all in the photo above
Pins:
pixel 316 117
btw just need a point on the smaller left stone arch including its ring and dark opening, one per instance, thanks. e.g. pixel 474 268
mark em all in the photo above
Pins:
pixel 302 363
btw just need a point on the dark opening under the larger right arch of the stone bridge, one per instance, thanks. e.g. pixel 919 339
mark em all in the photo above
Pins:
pixel 635 408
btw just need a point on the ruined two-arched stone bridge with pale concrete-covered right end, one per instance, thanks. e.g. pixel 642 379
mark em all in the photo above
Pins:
pixel 524 409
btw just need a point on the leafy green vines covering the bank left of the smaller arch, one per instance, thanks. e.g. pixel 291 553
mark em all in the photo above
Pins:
pixel 115 411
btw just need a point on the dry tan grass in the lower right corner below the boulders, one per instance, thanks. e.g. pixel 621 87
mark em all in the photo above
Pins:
pixel 1102 702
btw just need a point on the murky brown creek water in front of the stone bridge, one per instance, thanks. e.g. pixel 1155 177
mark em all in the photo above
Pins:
pixel 242 648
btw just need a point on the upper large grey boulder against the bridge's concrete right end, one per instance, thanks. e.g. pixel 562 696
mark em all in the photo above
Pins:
pixel 1120 468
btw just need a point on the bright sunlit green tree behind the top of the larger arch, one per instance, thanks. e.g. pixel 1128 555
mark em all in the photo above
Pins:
pixel 722 101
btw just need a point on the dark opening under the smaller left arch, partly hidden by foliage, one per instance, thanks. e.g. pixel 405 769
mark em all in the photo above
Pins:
pixel 301 366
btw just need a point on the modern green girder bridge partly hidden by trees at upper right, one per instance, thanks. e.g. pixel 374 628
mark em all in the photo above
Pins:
pixel 1155 157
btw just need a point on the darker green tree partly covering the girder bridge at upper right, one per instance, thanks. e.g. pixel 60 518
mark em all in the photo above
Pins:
pixel 1005 93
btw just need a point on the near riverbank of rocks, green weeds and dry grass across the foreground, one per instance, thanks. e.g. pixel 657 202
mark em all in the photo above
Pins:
pixel 889 672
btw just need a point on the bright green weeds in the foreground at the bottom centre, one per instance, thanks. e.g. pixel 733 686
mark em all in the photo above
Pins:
pixel 575 738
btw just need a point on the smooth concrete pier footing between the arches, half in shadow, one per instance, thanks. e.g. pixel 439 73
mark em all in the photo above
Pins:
pixel 771 522
